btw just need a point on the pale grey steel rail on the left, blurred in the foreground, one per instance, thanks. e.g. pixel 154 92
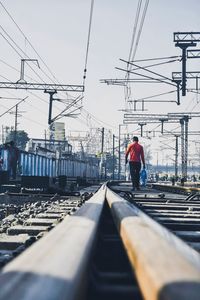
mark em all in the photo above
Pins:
pixel 55 267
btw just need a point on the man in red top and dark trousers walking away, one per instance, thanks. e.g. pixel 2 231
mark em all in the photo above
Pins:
pixel 136 155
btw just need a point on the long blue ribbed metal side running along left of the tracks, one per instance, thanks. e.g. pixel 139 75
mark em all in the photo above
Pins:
pixel 33 165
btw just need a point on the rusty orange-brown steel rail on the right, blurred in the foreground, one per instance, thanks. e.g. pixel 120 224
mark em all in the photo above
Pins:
pixel 163 272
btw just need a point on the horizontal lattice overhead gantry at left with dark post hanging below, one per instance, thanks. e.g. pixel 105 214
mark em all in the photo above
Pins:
pixel 47 88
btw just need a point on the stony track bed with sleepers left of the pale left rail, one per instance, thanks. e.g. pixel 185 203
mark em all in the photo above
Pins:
pixel 25 218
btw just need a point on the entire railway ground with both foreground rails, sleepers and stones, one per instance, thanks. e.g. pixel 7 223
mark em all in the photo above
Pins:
pixel 103 242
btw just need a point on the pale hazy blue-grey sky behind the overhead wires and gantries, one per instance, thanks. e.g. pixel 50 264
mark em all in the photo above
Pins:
pixel 58 31
